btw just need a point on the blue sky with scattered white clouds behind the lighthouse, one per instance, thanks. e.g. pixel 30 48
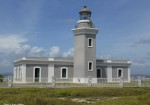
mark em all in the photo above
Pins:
pixel 43 28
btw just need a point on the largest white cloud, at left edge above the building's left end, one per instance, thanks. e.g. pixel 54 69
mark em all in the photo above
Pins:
pixel 16 45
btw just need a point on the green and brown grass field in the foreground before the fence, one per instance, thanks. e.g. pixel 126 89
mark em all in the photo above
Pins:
pixel 75 96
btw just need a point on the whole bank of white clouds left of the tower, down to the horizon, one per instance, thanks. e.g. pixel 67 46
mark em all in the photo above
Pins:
pixel 16 46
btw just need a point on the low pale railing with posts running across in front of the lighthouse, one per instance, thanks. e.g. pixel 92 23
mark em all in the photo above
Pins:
pixel 9 82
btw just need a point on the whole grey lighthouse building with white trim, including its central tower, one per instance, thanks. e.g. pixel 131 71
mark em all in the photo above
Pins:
pixel 81 68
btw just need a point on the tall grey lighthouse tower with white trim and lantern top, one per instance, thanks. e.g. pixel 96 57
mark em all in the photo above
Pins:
pixel 85 48
